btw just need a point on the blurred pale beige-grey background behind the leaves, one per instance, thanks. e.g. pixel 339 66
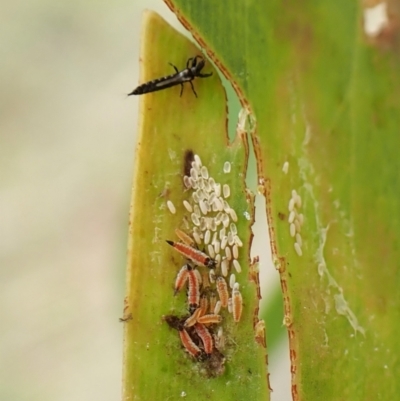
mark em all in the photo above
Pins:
pixel 67 144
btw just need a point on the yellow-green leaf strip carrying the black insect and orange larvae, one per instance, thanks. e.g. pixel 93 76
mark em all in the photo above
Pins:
pixel 156 367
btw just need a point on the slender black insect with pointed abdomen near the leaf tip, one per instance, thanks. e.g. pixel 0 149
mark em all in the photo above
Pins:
pixel 193 69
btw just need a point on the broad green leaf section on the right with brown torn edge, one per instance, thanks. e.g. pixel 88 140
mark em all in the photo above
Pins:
pixel 326 100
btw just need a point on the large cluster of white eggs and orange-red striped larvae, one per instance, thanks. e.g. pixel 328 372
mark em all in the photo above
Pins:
pixel 211 247
